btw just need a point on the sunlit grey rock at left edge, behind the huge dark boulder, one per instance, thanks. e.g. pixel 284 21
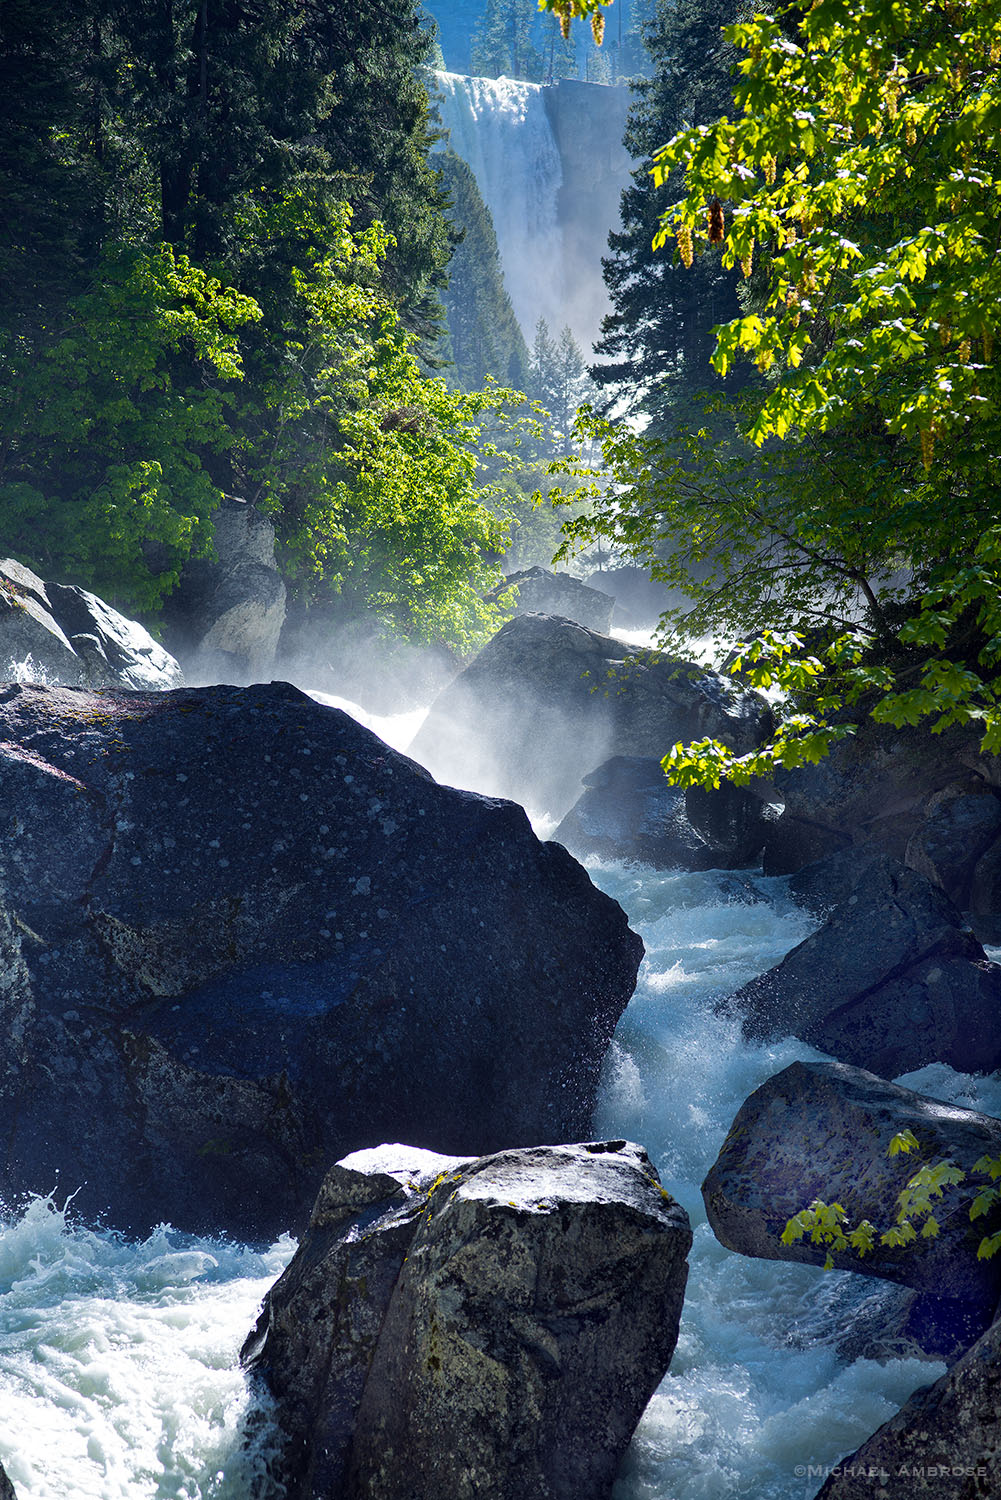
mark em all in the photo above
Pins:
pixel 61 634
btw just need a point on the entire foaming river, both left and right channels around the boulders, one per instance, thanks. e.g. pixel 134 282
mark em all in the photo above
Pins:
pixel 118 1360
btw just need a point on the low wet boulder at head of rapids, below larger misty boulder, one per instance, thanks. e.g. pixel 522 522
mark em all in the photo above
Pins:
pixel 630 811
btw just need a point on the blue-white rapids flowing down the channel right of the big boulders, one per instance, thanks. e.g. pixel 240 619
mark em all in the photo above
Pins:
pixel 757 1402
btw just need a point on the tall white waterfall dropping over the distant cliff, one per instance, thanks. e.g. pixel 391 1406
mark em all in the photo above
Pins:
pixel 500 128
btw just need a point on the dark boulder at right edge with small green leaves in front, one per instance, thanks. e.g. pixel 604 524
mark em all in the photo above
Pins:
pixel 822 1130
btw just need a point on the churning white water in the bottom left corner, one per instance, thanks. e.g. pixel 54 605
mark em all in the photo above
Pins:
pixel 119 1376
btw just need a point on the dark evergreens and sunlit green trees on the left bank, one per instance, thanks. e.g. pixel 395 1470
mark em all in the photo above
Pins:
pixel 226 247
